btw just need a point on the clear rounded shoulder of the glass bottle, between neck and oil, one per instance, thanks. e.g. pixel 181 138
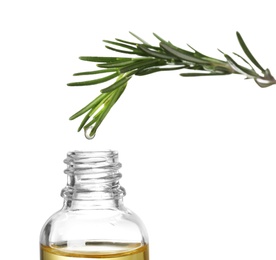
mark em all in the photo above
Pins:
pixel 116 223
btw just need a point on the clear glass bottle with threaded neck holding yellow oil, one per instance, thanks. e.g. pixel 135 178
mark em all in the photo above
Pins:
pixel 93 222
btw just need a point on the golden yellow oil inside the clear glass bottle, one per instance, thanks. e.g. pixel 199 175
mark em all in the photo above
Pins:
pixel 99 250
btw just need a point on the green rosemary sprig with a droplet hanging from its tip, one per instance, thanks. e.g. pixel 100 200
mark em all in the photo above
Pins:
pixel 146 59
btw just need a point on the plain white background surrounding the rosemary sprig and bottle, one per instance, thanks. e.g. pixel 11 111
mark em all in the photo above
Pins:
pixel 198 154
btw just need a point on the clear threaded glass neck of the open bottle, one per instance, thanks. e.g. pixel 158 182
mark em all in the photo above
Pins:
pixel 93 180
